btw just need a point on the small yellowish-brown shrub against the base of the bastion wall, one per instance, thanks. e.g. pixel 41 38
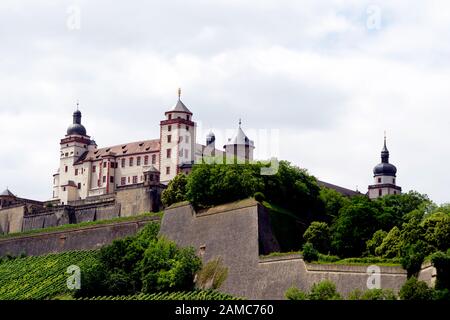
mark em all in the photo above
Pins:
pixel 212 275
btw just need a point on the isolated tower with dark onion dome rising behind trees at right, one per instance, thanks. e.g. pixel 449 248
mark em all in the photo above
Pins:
pixel 385 175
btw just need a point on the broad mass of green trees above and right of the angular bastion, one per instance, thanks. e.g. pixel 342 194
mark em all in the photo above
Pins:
pixel 407 227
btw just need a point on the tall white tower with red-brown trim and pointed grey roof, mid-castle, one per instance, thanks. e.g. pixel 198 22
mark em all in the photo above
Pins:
pixel 177 138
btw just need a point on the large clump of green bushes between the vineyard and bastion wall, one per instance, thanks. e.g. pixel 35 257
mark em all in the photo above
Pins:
pixel 143 263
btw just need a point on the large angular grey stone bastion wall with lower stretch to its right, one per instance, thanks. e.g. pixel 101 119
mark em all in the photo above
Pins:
pixel 237 234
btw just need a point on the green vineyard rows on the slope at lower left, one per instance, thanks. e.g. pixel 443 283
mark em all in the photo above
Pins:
pixel 40 277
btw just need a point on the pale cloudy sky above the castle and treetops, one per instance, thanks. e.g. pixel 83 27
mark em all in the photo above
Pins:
pixel 323 78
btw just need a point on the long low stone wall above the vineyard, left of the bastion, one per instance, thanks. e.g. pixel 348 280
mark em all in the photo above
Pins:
pixel 86 238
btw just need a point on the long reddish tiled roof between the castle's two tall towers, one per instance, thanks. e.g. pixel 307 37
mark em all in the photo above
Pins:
pixel 121 150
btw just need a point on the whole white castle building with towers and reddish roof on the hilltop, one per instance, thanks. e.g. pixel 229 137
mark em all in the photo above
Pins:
pixel 87 171
